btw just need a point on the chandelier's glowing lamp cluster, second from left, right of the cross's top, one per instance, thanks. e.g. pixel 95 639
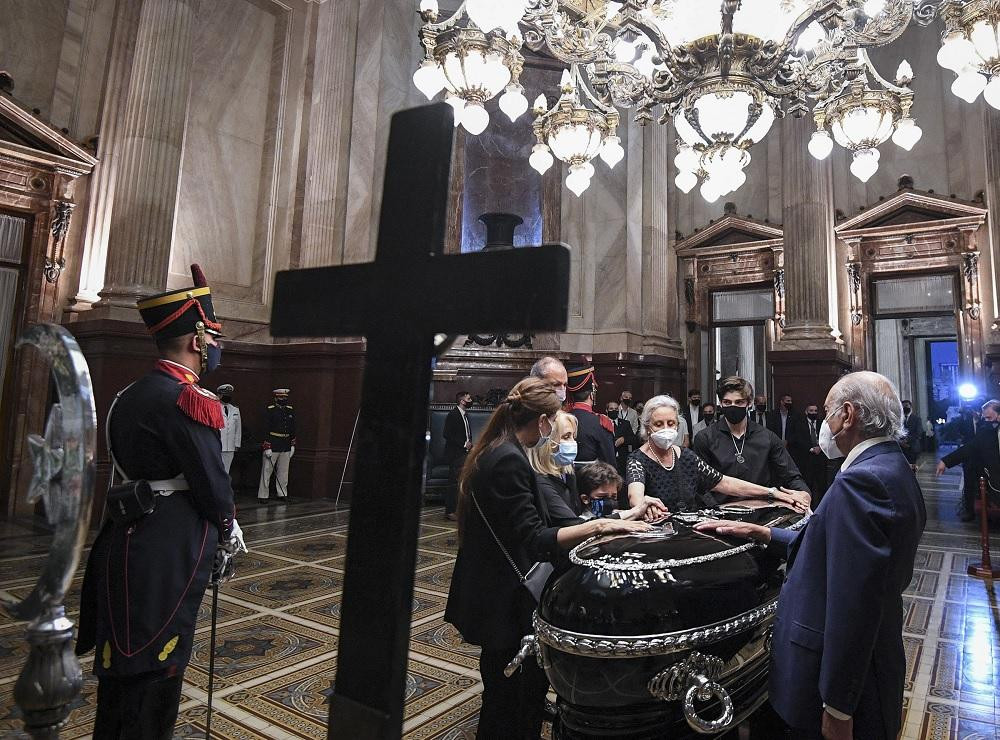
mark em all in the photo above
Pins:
pixel 574 133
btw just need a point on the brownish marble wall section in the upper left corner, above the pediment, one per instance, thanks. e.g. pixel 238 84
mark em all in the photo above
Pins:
pixel 31 38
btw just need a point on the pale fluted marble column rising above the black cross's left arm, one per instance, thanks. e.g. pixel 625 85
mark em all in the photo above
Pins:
pixel 324 203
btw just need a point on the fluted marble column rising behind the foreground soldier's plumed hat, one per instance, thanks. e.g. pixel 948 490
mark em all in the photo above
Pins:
pixel 148 171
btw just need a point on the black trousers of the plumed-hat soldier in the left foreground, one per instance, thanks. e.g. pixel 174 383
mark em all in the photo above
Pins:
pixel 140 707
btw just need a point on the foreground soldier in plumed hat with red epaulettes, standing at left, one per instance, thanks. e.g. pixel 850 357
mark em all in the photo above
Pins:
pixel 165 524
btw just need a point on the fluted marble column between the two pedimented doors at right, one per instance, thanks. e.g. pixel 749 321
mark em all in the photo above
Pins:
pixel 807 215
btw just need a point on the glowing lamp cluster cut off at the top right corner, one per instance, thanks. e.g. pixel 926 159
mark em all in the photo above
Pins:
pixel 971 48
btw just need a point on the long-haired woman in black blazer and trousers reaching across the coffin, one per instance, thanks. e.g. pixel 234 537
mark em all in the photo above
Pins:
pixel 486 602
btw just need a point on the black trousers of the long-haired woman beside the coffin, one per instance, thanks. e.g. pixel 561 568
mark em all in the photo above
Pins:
pixel 513 708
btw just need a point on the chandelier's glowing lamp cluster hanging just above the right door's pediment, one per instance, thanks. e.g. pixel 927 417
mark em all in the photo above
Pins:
pixel 865 112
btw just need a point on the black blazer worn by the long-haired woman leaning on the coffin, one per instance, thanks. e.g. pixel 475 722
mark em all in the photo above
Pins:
pixel 486 602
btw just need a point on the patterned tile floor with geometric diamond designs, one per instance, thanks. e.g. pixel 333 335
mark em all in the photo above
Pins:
pixel 279 621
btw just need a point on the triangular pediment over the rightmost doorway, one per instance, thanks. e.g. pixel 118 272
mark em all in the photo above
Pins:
pixel 911 211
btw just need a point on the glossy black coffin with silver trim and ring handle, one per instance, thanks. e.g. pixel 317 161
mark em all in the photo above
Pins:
pixel 661 635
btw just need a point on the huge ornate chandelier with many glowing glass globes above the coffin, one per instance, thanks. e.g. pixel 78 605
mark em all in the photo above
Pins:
pixel 720 70
